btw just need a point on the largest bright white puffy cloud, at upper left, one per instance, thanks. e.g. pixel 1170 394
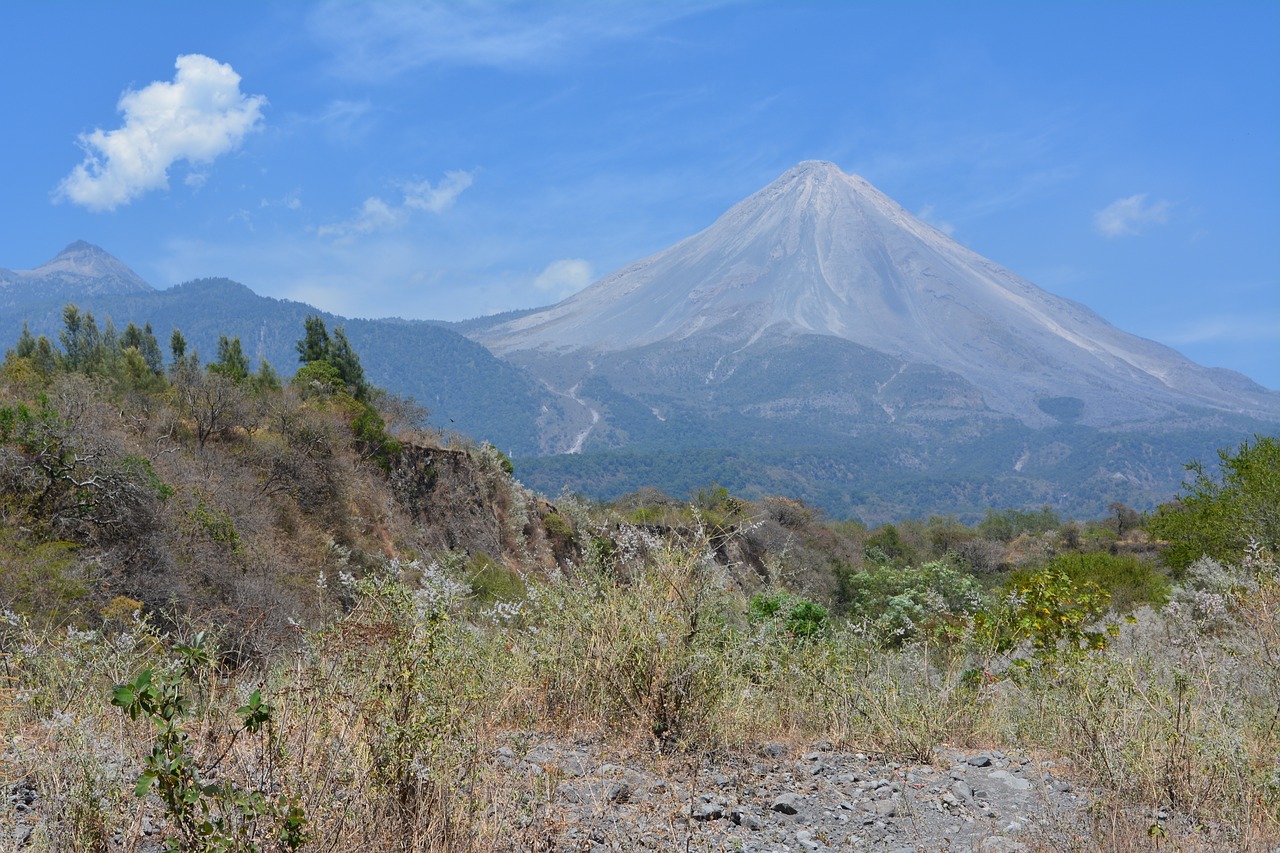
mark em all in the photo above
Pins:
pixel 199 117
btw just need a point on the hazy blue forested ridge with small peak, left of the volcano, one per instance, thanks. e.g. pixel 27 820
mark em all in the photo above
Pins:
pixel 463 386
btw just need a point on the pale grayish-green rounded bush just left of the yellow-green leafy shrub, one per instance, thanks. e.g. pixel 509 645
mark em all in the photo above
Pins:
pixel 897 604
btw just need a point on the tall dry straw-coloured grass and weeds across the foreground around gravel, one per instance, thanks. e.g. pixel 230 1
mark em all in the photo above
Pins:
pixel 387 720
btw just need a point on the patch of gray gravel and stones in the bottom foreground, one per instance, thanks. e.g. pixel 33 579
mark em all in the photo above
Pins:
pixel 788 799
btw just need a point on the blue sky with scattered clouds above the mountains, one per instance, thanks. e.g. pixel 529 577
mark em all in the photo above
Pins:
pixel 447 161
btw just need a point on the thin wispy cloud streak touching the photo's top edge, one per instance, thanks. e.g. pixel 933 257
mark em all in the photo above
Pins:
pixel 382 40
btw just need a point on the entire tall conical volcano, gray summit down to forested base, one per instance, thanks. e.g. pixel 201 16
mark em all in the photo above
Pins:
pixel 822 343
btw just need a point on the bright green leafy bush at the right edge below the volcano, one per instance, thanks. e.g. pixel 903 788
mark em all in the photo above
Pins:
pixel 1219 518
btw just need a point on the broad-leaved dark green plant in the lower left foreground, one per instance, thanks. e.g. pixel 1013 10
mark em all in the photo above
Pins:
pixel 207 815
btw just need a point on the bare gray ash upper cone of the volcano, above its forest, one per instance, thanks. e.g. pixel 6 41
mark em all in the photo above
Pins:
pixel 820 253
